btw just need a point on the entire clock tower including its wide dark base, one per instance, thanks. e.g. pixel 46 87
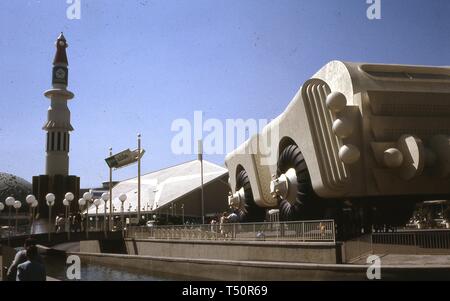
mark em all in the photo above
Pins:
pixel 57 179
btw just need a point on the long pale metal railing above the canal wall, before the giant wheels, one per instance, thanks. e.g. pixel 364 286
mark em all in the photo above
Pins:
pixel 306 231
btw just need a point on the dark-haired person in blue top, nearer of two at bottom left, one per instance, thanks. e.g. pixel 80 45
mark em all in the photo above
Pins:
pixel 33 269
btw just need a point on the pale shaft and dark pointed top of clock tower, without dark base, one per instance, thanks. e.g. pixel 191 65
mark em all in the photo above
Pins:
pixel 58 125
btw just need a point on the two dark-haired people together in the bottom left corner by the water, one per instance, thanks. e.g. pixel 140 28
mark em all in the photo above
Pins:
pixel 27 264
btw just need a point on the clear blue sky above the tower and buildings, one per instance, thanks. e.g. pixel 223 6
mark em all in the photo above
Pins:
pixel 135 66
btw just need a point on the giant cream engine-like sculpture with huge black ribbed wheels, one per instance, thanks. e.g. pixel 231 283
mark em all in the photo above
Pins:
pixel 362 142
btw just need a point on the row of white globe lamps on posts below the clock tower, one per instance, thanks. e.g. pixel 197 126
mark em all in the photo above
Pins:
pixel 68 198
